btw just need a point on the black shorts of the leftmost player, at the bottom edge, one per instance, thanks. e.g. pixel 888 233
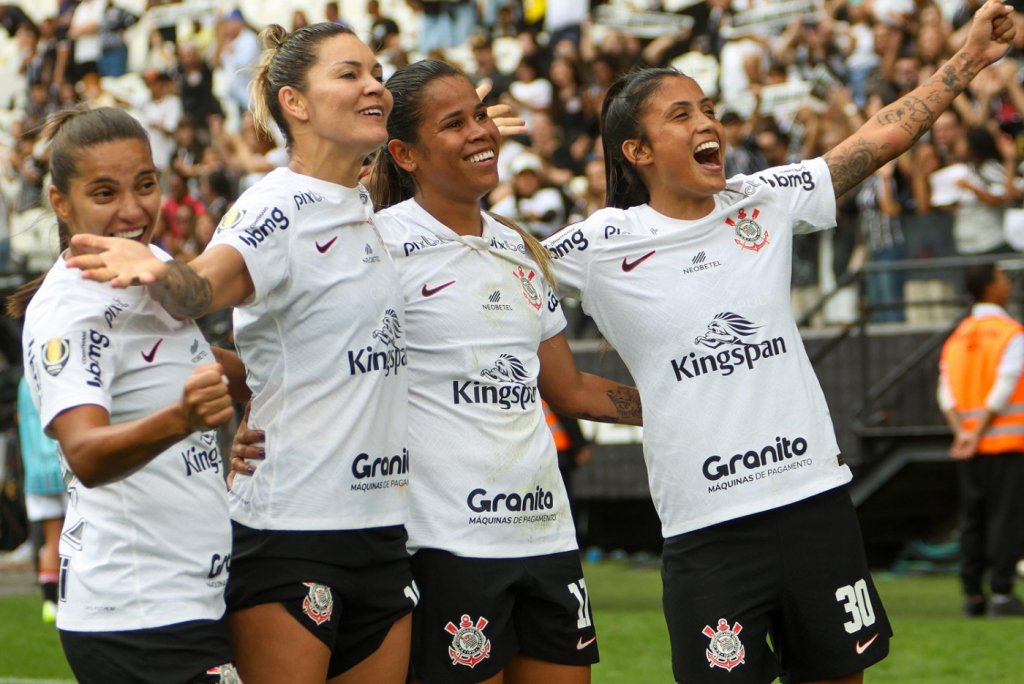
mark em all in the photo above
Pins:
pixel 194 653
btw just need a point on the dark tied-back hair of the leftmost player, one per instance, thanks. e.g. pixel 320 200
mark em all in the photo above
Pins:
pixel 72 133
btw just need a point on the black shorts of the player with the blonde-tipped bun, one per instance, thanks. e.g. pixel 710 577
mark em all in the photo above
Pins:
pixel 348 588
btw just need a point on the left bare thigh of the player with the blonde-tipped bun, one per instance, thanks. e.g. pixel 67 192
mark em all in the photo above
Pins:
pixel 271 647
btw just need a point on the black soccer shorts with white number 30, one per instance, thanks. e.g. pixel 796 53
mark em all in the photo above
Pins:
pixel 797 575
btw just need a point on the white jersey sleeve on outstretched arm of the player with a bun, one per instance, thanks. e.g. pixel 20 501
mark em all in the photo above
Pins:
pixel 259 230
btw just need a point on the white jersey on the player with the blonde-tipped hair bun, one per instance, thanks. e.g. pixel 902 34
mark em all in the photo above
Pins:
pixel 324 345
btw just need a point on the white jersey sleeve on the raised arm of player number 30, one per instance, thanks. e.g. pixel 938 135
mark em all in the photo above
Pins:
pixel 805 192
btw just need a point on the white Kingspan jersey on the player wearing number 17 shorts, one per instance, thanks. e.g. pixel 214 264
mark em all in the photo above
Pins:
pixel 487 483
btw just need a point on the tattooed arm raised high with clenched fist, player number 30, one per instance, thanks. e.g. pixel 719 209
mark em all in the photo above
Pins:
pixel 894 130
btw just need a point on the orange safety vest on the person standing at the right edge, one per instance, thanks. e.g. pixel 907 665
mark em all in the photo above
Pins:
pixel 971 357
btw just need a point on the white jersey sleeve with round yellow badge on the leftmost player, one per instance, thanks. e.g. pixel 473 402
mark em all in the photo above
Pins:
pixel 73 365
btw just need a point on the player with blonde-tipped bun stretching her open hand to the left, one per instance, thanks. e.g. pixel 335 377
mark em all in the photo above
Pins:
pixel 321 583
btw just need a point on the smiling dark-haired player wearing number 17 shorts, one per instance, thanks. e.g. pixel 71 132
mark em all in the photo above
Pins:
pixel 496 562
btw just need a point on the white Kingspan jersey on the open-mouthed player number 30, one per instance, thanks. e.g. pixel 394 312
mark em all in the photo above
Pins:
pixel 735 419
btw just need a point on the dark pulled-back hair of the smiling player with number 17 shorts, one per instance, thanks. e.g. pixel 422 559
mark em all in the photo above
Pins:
pixel 389 183
